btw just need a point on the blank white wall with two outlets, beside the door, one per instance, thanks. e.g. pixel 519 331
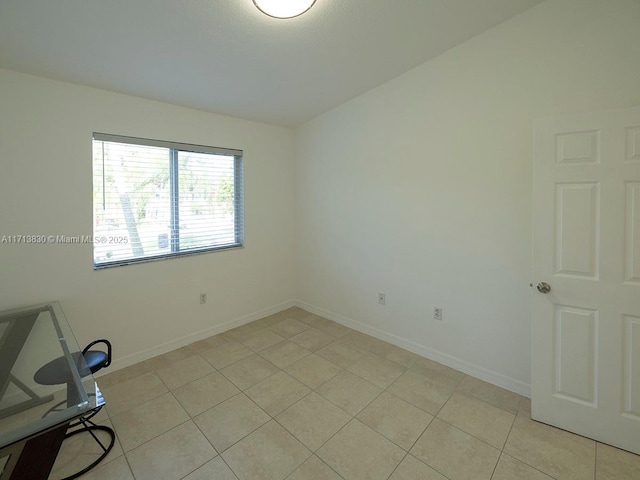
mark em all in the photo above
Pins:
pixel 421 188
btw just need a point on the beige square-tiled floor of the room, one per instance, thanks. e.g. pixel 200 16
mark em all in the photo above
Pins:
pixel 295 396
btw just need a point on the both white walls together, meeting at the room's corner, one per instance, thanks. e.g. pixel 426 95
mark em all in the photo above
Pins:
pixel 420 188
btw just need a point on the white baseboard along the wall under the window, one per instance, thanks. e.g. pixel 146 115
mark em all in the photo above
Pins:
pixel 128 360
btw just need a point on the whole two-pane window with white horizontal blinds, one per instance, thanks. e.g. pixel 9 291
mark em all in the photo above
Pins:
pixel 155 199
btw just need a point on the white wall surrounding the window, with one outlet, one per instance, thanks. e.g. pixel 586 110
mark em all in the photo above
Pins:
pixel 46 188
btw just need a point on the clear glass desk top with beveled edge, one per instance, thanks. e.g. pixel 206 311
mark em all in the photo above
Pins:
pixel 31 338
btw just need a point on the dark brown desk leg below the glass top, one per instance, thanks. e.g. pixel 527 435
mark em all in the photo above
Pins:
pixel 38 455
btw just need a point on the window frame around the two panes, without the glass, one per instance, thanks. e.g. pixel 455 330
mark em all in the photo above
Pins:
pixel 174 242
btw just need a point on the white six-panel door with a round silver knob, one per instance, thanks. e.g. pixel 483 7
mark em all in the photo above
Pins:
pixel 586 329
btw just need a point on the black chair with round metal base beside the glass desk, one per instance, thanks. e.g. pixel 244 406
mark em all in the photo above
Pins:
pixel 57 372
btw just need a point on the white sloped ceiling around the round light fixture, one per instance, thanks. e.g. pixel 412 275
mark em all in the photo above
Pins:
pixel 227 57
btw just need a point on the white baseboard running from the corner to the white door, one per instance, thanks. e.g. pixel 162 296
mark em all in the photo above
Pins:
pixel 476 371
